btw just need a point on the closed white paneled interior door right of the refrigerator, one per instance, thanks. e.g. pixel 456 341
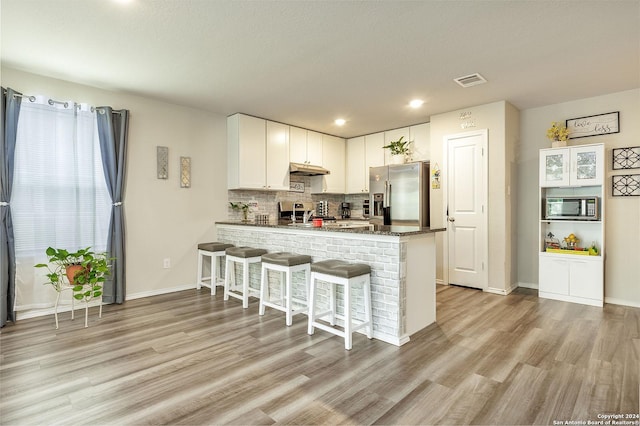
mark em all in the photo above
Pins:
pixel 467 184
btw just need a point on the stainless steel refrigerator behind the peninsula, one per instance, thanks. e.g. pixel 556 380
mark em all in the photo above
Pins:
pixel 399 194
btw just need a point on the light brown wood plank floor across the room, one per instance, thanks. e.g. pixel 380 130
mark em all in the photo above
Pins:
pixel 189 358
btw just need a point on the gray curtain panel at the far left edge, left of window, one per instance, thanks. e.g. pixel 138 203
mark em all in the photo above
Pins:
pixel 10 112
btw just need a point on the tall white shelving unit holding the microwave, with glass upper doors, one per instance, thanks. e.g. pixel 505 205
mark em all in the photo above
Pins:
pixel 568 172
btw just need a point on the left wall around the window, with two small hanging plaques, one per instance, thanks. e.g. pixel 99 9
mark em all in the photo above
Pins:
pixel 162 219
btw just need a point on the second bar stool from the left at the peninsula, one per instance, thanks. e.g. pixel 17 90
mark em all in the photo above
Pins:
pixel 244 256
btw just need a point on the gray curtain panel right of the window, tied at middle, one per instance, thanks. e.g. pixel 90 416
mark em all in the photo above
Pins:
pixel 112 132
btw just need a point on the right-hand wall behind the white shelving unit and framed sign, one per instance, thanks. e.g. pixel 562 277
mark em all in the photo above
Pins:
pixel 622 229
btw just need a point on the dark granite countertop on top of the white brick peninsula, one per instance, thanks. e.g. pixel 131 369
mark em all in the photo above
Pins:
pixel 394 230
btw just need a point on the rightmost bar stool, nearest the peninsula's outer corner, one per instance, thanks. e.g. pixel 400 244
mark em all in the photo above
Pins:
pixel 345 274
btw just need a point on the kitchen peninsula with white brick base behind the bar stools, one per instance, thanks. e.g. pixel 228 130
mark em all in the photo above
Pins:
pixel 402 260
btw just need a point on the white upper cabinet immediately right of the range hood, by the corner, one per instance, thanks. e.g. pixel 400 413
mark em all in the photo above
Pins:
pixel 334 160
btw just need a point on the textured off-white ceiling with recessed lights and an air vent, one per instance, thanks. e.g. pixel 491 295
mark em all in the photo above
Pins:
pixel 309 62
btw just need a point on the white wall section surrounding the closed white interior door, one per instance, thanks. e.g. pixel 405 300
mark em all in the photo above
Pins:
pixel 502 120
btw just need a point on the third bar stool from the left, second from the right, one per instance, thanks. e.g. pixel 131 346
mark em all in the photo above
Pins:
pixel 286 264
